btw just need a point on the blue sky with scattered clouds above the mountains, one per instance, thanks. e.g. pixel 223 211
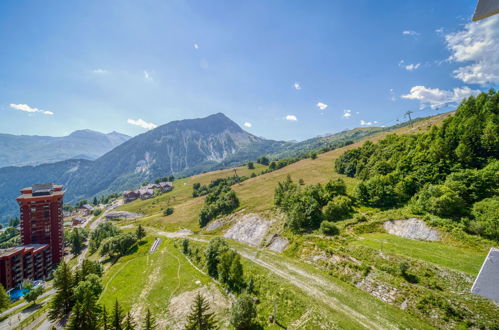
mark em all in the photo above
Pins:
pixel 287 69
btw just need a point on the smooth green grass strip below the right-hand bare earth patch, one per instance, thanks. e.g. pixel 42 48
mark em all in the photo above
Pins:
pixel 468 261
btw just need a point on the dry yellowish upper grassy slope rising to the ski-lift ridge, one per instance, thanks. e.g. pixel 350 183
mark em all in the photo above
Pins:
pixel 255 194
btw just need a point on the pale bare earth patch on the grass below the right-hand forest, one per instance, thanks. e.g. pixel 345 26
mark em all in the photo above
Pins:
pixel 411 228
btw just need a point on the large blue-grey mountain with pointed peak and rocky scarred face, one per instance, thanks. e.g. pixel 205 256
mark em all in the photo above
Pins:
pixel 181 148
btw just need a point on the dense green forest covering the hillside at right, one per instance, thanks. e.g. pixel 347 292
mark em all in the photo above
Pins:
pixel 450 171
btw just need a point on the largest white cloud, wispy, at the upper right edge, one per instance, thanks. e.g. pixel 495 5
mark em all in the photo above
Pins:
pixel 478 43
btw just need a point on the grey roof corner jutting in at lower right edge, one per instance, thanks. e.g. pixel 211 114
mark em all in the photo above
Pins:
pixel 486 283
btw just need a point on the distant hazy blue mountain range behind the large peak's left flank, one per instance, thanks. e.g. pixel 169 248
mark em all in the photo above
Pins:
pixel 21 150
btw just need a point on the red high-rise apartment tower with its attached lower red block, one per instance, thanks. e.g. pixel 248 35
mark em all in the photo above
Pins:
pixel 42 236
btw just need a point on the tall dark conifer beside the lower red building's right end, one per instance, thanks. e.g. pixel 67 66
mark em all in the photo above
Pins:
pixel 63 300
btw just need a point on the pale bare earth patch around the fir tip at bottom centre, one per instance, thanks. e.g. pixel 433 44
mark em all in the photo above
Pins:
pixel 180 305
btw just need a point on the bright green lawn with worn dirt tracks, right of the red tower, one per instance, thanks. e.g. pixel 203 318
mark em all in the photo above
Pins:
pixel 149 280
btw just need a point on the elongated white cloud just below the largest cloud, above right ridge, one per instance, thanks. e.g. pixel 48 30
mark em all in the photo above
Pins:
pixel 436 98
